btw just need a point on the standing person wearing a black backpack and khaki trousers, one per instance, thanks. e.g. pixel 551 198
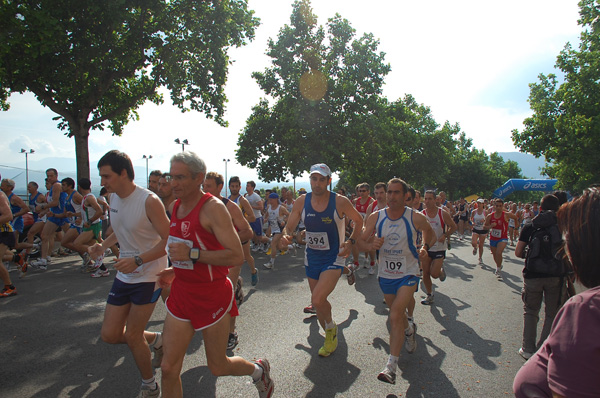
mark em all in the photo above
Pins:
pixel 543 275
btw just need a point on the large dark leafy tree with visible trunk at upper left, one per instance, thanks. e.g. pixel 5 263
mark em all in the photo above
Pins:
pixel 95 63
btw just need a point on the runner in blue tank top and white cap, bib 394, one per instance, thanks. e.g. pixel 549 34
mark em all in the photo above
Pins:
pixel 323 212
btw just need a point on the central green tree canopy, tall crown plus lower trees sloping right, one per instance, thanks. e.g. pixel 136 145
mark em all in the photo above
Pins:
pixel 323 103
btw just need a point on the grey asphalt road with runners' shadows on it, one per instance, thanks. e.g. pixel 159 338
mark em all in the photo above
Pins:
pixel 467 341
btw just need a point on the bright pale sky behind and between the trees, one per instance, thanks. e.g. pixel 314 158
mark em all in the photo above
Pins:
pixel 470 61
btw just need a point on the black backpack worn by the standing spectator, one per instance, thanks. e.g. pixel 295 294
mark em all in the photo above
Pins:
pixel 543 252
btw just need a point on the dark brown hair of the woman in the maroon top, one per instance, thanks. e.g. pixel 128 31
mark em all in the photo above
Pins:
pixel 578 220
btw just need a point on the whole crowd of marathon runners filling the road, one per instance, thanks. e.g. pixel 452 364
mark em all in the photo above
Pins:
pixel 182 241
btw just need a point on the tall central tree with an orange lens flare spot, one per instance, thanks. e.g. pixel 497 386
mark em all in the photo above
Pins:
pixel 321 91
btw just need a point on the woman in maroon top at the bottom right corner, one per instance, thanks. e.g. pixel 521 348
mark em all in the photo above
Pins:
pixel 568 363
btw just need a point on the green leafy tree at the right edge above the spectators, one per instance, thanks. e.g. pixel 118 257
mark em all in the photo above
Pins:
pixel 565 125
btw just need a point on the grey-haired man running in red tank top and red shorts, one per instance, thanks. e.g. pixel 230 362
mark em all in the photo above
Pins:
pixel 202 246
